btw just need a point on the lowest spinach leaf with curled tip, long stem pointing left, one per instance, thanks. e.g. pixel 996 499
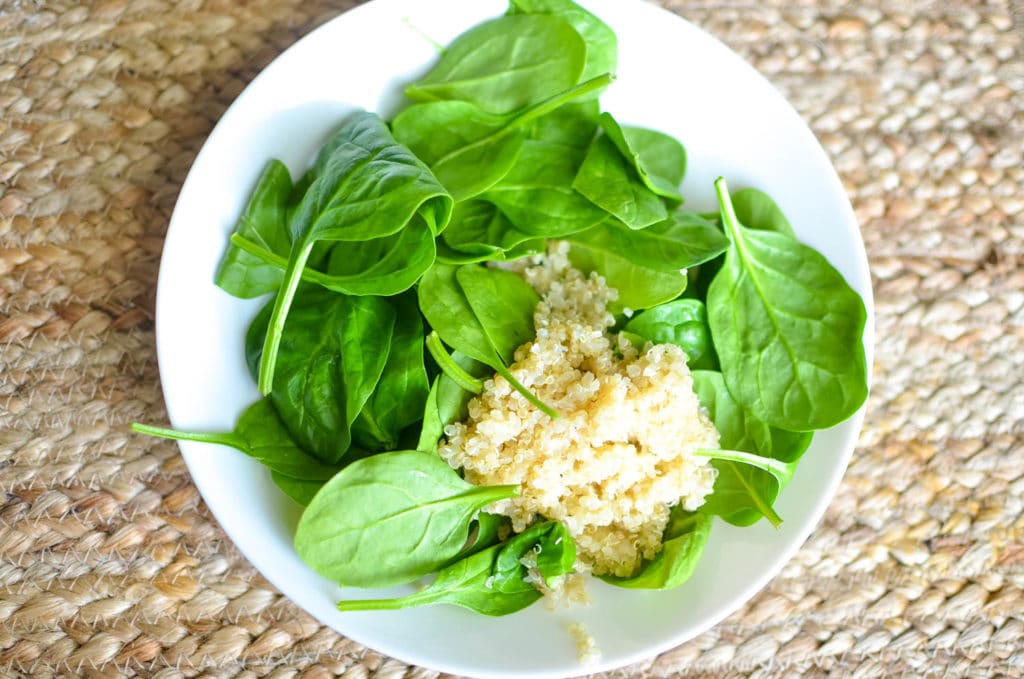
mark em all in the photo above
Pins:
pixel 493 582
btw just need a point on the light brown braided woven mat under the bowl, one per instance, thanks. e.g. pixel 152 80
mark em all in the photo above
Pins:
pixel 110 564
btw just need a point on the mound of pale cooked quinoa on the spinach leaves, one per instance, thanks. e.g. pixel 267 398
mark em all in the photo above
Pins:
pixel 622 452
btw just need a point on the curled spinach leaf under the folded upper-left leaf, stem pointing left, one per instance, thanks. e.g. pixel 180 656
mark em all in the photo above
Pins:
pixel 387 266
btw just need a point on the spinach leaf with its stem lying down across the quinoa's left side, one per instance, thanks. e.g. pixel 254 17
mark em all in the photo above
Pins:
pixel 486 314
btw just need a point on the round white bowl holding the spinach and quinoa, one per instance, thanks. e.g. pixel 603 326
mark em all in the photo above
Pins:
pixel 672 77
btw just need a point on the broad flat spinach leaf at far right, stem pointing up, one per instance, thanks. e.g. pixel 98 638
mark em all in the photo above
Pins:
pixel 789 330
